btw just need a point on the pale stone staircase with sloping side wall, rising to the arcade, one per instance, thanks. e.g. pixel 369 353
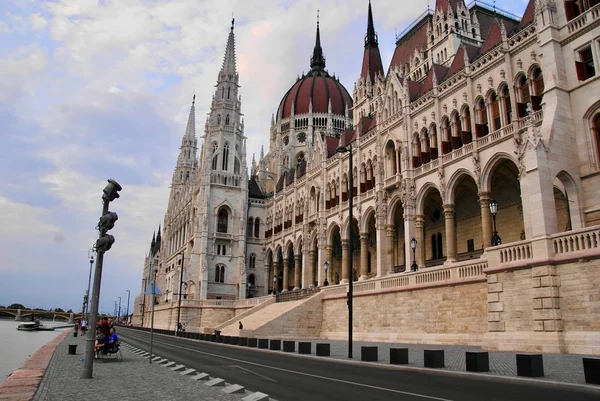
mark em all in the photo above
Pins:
pixel 292 319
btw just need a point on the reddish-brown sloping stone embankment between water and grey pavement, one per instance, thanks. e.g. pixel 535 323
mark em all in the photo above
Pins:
pixel 22 384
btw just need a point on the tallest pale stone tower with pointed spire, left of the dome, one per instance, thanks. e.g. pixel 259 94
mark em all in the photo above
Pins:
pixel 219 240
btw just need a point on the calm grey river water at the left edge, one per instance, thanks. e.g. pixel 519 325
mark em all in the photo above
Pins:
pixel 17 346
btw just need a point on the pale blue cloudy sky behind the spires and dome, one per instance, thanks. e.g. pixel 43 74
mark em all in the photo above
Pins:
pixel 97 89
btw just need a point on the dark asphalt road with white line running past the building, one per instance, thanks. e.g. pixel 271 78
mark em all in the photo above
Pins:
pixel 288 377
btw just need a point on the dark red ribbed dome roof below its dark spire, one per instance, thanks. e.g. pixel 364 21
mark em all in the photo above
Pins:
pixel 319 87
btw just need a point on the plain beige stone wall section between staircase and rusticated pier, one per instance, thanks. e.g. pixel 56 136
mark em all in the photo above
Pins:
pixel 442 315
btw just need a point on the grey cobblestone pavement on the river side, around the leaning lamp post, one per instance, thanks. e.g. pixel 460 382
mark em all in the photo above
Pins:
pixel 131 379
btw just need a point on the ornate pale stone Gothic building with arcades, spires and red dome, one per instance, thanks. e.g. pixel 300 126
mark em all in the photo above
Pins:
pixel 477 108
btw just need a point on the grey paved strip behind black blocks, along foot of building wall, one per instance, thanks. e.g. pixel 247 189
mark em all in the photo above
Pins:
pixel 566 368
